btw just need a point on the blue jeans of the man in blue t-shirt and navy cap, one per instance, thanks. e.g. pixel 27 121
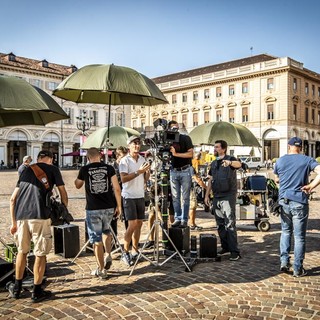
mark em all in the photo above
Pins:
pixel 294 220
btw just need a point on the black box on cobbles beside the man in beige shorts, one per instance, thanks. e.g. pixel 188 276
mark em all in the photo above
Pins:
pixel 66 240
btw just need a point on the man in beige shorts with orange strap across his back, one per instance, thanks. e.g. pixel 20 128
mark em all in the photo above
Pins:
pixel 31 221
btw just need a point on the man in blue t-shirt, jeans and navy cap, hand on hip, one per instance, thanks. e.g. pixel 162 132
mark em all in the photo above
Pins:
pixel 292 173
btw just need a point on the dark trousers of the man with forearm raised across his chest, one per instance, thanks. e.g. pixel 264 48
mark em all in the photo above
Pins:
pixel 224 212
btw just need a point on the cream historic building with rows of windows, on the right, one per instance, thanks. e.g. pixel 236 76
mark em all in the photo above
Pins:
pixel 276 98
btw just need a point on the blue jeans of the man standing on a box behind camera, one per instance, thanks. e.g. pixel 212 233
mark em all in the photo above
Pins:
pixel 180 183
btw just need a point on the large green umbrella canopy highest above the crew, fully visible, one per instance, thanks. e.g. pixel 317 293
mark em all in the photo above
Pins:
pixel 108 83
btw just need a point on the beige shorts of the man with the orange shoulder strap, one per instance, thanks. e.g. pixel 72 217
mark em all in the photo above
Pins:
pixel 39 232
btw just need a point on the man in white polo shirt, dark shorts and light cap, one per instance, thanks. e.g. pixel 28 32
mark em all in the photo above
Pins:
pixel 134 172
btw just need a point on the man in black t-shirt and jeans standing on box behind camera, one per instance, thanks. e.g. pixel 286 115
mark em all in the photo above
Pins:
pixel 181 176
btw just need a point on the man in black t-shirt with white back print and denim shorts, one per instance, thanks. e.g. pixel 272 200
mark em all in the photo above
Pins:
pixel 103 195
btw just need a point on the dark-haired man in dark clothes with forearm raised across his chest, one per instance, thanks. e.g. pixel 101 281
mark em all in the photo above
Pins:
pixel 223 183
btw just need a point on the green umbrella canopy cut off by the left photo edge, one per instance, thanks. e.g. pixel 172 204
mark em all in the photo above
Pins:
pixel 23 104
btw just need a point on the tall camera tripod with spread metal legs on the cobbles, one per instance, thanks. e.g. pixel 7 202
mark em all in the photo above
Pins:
pixel 160 223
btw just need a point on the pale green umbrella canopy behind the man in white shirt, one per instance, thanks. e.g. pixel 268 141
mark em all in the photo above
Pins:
pixel 117 137
